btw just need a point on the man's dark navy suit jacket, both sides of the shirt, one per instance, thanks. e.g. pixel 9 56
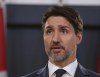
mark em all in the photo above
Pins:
pixel 80 72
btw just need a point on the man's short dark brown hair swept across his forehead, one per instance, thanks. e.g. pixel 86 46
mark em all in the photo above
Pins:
pixel 68 13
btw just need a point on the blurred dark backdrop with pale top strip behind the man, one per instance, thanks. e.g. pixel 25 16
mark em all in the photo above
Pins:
pixel 25 48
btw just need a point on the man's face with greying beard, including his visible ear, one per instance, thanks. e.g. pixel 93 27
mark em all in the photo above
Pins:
pixel 60 39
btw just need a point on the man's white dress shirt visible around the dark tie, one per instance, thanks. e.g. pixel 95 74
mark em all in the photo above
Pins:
pixel 70 69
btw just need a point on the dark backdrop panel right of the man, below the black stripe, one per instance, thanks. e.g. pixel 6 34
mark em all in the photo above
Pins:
pixel 88 50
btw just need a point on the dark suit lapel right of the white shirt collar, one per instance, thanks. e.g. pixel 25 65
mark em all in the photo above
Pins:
pixel 81 71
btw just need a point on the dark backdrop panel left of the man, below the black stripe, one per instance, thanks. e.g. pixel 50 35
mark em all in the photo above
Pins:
pixel 25 51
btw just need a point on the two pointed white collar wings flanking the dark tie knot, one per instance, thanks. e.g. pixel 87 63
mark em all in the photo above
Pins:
pixel 71 68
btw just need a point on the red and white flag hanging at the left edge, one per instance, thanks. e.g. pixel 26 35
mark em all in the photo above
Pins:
pixel 3 68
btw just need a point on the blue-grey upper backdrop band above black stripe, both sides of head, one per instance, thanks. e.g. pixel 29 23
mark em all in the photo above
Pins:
pixel 31 14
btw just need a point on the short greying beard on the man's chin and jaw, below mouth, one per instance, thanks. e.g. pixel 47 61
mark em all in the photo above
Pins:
pixel 58 57
